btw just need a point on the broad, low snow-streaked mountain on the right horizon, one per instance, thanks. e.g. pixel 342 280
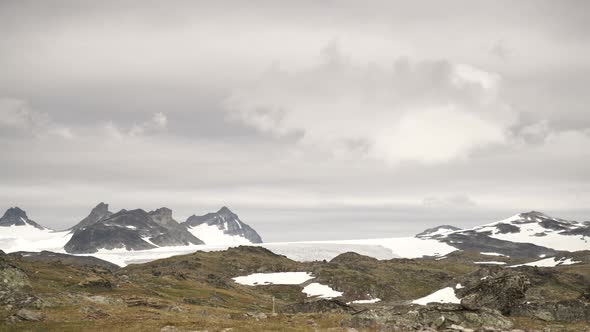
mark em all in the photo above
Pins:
pixel 522 235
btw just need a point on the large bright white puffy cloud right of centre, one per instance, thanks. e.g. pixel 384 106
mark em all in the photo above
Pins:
pixel 424 111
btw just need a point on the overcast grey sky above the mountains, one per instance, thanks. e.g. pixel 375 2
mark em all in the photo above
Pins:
pixel 310 119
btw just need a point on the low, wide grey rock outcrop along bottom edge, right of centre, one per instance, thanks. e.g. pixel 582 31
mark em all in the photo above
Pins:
pixel 432 316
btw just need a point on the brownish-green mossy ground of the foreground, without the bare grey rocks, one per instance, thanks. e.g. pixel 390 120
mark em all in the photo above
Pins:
pixel 195 291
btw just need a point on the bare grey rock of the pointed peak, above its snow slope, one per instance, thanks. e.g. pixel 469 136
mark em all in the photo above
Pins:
pixel 226 221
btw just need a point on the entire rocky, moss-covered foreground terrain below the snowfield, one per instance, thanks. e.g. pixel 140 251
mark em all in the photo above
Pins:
pixel 56 292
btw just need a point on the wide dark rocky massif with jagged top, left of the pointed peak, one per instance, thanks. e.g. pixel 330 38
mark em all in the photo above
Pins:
pixel 132 230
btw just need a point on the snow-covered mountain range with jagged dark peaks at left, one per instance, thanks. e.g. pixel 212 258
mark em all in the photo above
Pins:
pixel 125 231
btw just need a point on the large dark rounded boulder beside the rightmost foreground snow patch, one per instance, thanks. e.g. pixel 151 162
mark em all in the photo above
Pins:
pixel 502 292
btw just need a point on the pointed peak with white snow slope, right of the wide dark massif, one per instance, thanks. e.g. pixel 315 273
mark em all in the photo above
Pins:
pixel 222 227
